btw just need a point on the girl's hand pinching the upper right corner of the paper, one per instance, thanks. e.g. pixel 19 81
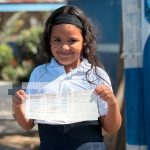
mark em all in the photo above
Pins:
pixel 106 94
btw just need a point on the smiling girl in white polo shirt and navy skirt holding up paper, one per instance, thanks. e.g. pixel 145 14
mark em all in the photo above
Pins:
pixel 69 48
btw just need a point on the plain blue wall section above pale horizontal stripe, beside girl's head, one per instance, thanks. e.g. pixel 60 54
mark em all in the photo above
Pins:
pixel 105 14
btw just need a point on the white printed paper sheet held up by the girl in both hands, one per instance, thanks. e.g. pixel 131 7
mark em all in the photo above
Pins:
pixel 64 108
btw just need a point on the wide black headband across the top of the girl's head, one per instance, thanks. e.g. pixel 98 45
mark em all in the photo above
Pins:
pixel 68 18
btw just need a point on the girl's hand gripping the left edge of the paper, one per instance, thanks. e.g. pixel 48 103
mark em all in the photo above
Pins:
pixel 18 99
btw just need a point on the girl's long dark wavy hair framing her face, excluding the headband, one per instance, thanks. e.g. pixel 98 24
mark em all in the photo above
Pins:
pixel 90 47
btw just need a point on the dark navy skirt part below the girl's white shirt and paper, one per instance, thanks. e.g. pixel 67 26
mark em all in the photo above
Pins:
pixel 68 137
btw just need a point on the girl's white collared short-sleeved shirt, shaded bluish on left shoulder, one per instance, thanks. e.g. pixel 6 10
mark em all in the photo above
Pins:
pixel 52 78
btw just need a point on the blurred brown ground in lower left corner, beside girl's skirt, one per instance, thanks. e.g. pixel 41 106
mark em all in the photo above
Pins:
pixel 12 137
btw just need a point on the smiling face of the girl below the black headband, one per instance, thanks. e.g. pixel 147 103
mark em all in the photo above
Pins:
pixel 66 45
